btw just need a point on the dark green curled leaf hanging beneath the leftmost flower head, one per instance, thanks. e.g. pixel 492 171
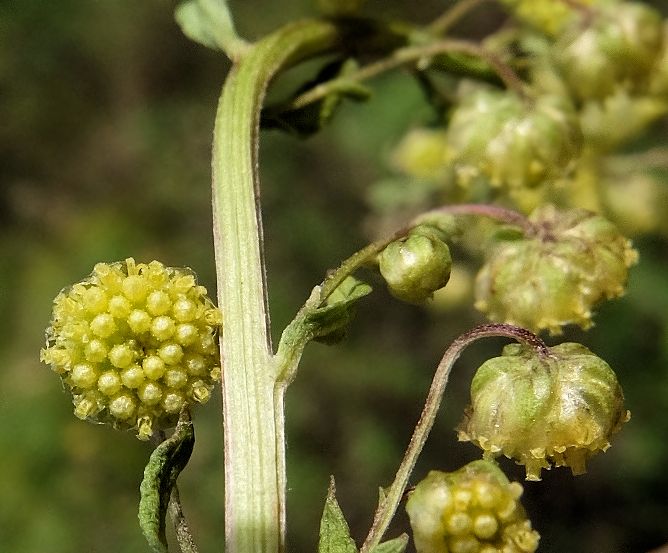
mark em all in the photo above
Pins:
pixel 164 466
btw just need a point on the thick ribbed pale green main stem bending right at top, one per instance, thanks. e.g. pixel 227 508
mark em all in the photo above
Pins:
pixel 252 409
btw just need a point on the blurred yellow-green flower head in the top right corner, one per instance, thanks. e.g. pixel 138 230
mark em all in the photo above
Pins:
pixel 618 46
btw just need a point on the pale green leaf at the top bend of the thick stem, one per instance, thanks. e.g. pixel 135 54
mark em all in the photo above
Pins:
pixel 209 22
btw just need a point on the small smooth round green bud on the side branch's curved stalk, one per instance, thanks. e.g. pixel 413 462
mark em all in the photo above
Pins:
pixel 416 266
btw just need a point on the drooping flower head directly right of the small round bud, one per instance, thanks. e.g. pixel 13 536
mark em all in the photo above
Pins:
pixel 573 260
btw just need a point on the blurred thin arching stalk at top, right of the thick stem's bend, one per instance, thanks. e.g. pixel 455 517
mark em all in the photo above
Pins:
pixel 410 54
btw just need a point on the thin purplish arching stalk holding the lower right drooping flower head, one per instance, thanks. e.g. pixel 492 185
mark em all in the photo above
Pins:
pixel 388 505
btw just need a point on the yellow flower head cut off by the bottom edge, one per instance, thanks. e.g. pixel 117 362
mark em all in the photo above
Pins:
pixel 472 510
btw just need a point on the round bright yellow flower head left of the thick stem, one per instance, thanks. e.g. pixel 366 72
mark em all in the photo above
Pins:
pixel 134 343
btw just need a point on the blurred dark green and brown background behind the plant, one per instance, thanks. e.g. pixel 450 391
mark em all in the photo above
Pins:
pixel 106 114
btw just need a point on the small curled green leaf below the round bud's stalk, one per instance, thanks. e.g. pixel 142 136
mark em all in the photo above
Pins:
pixel 329 322
